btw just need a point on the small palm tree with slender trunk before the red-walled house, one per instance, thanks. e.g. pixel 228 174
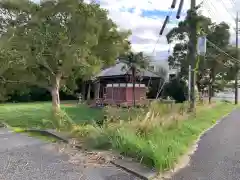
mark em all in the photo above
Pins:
pixel 135 63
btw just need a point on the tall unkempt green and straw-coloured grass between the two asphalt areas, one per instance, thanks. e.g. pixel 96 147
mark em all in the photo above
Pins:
pixel 160 136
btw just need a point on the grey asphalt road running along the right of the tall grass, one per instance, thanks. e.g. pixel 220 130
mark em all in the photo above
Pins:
pixel 218 153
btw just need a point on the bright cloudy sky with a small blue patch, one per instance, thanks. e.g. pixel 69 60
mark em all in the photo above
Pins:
pixel 145 18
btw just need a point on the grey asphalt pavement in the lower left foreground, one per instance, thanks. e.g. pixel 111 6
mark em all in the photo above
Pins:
pixel 27 158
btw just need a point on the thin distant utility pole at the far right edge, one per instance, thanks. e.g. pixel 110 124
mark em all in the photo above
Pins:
pixel 236 64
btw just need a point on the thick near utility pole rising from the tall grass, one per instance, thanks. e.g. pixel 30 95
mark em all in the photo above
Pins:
pixel 192 53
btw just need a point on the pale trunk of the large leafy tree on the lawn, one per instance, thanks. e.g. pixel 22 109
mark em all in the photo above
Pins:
pixel 55 95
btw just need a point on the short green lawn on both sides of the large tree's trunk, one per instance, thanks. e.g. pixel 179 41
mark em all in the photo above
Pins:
pixel 32 114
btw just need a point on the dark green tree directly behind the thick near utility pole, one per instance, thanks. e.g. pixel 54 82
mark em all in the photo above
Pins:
pixel 213 63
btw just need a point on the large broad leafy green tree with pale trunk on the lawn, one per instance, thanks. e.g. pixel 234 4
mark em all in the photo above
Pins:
pixel 60 40
